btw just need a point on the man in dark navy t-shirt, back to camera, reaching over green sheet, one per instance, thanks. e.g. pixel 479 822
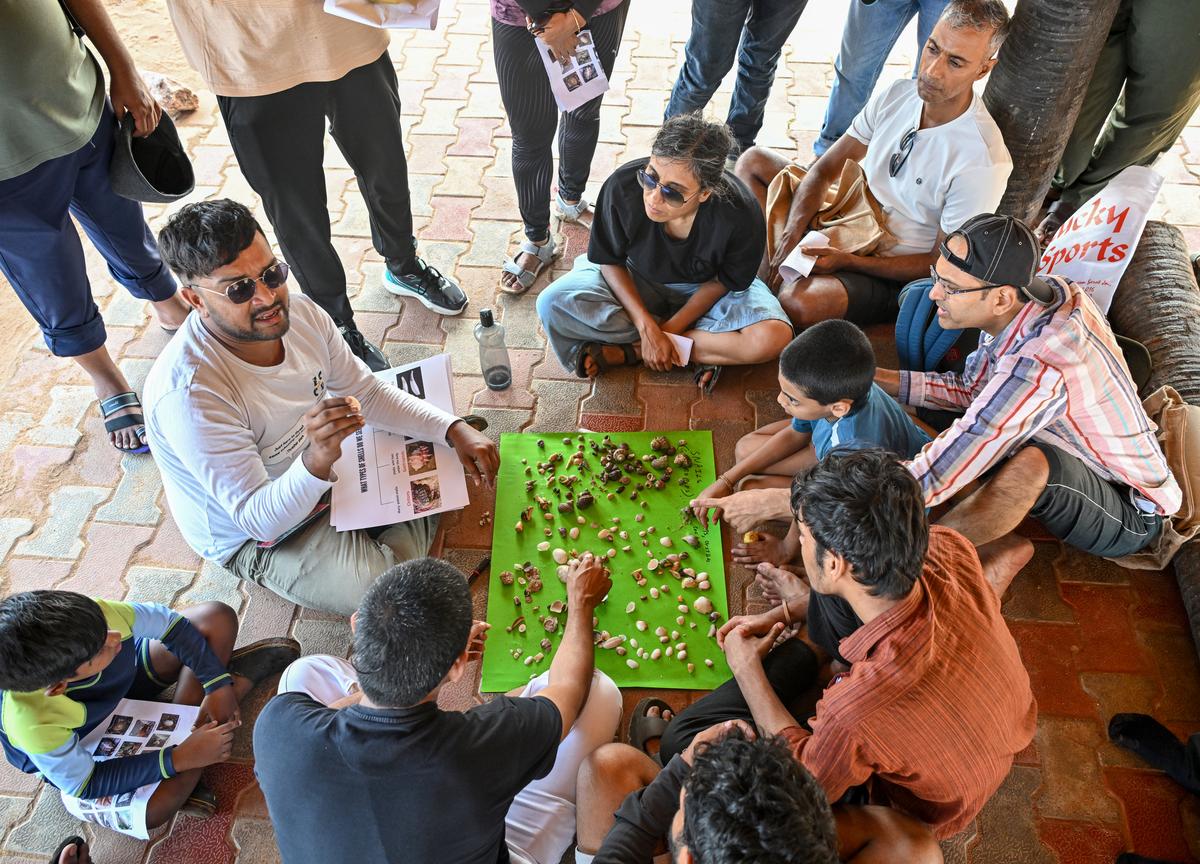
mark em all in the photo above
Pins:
pixel 358 764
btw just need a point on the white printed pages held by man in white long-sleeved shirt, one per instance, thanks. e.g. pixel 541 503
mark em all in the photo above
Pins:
pixel 386 478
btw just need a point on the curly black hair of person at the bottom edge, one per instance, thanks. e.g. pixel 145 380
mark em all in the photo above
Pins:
pixel 752 802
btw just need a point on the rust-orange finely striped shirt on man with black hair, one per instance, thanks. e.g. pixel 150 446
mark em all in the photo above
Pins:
pixel 937 703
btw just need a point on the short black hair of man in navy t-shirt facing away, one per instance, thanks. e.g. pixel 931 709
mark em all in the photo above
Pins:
pixel 413 625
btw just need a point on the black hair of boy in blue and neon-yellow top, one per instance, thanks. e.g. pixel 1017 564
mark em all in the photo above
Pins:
pixel 46 637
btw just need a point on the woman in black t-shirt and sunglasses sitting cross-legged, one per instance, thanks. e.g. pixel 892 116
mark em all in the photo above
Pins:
pixel 675 251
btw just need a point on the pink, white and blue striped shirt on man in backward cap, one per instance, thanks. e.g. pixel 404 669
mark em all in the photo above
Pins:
pixel 1055 375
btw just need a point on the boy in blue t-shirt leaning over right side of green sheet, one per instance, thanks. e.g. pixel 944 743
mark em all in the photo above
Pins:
pixel 826 386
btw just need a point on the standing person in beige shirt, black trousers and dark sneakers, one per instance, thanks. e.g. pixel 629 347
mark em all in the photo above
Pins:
pixel 280 71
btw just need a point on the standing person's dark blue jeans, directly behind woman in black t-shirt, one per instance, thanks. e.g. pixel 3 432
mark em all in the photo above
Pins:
pixel 752 31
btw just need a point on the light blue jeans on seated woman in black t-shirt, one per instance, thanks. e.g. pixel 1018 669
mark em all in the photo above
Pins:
pixel 581 308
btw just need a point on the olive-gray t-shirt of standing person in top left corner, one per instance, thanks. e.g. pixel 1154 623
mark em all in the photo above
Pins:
pixel 51 87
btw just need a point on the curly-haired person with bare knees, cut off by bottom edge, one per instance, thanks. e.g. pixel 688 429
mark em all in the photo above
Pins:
pixel 731 799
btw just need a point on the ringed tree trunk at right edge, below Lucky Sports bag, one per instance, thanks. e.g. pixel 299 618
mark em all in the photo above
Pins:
pixel 1159 304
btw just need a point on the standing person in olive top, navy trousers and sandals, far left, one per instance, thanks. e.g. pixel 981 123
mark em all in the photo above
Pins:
pixel 57 133
